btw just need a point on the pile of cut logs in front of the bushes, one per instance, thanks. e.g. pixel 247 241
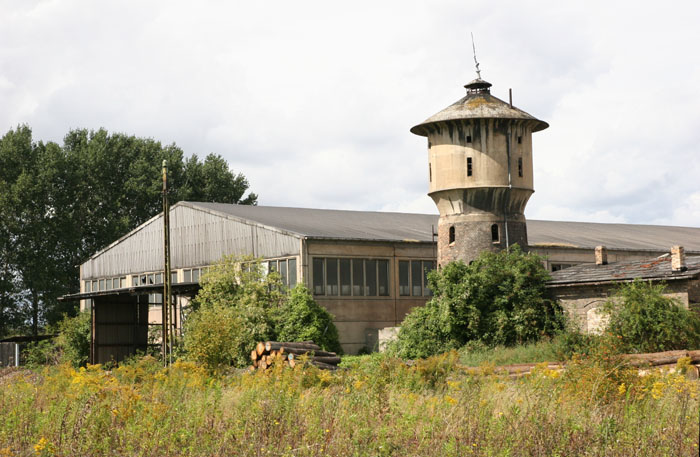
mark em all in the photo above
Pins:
pixel 268 352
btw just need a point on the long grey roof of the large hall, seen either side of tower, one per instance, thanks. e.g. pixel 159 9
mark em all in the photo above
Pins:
pixel 383 226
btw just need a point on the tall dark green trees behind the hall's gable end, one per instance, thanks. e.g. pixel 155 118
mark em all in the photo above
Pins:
pixel 61 204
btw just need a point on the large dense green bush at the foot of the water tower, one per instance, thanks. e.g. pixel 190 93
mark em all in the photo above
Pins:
pixel 499 299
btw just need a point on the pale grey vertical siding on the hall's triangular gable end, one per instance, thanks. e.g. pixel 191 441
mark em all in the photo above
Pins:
pixel 197 238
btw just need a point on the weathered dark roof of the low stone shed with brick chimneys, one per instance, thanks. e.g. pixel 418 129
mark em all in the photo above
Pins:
pixel 658 269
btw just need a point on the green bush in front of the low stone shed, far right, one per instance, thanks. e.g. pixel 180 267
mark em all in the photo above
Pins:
pixel 645 320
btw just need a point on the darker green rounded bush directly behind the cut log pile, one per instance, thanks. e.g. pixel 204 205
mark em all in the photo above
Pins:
pixel 302 319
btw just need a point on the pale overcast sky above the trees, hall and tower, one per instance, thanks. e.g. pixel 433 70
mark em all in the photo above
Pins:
pixel 313 100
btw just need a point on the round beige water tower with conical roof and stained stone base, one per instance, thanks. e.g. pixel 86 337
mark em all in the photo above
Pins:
pixel 480 171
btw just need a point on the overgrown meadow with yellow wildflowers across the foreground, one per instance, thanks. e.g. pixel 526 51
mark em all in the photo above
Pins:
pixel 377 406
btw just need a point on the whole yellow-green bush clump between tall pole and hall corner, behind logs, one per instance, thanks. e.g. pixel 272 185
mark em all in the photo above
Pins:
pixel 239 306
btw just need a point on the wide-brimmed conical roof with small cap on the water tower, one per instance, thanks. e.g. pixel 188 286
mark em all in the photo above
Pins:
pixel 478 104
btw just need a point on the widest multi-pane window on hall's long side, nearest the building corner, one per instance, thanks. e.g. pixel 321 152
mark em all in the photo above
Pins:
pixel 351 277
